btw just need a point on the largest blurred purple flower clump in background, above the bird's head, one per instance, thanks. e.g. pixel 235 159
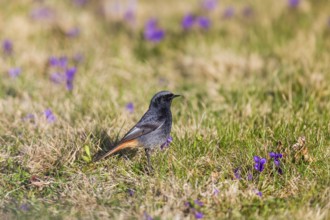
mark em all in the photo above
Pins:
pixel 152 32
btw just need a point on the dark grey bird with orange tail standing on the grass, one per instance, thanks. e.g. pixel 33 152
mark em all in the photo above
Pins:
pixel 153 129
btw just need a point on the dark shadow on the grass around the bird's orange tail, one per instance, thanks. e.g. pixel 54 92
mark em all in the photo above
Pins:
pixel 107 143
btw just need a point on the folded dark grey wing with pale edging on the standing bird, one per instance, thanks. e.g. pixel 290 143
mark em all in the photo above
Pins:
pixel 141 129
